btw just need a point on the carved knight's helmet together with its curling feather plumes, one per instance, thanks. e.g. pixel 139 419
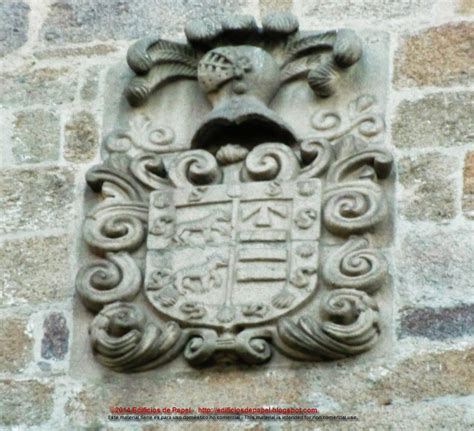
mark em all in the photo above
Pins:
pixel 240 67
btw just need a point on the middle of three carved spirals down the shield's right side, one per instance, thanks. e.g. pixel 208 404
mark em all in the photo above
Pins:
pixel 355 266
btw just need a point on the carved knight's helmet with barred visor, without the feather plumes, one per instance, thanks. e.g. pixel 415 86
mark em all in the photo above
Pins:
pixel 240 82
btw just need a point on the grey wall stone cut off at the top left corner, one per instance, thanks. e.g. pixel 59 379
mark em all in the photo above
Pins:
pixel 13 25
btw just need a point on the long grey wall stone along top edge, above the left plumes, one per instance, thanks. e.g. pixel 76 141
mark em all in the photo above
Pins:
pixel 86 20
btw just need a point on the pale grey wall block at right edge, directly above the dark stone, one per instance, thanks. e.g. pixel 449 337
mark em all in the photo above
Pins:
pixel 434 267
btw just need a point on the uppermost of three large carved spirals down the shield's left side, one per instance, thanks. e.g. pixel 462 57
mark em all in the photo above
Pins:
pixel 116 226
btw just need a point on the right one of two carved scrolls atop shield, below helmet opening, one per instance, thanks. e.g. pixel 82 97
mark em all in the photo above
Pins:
pixel 270 161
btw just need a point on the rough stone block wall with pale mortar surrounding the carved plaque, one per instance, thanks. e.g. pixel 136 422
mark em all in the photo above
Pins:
pixel 55 56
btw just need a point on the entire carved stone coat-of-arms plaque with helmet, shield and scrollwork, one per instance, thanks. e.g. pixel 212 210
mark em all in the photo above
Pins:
pixel 241 198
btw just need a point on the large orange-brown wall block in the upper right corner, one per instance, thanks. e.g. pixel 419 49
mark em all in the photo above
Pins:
pixel 437 56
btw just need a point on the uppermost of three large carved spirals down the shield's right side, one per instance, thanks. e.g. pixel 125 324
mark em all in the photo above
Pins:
pixel 353 207
